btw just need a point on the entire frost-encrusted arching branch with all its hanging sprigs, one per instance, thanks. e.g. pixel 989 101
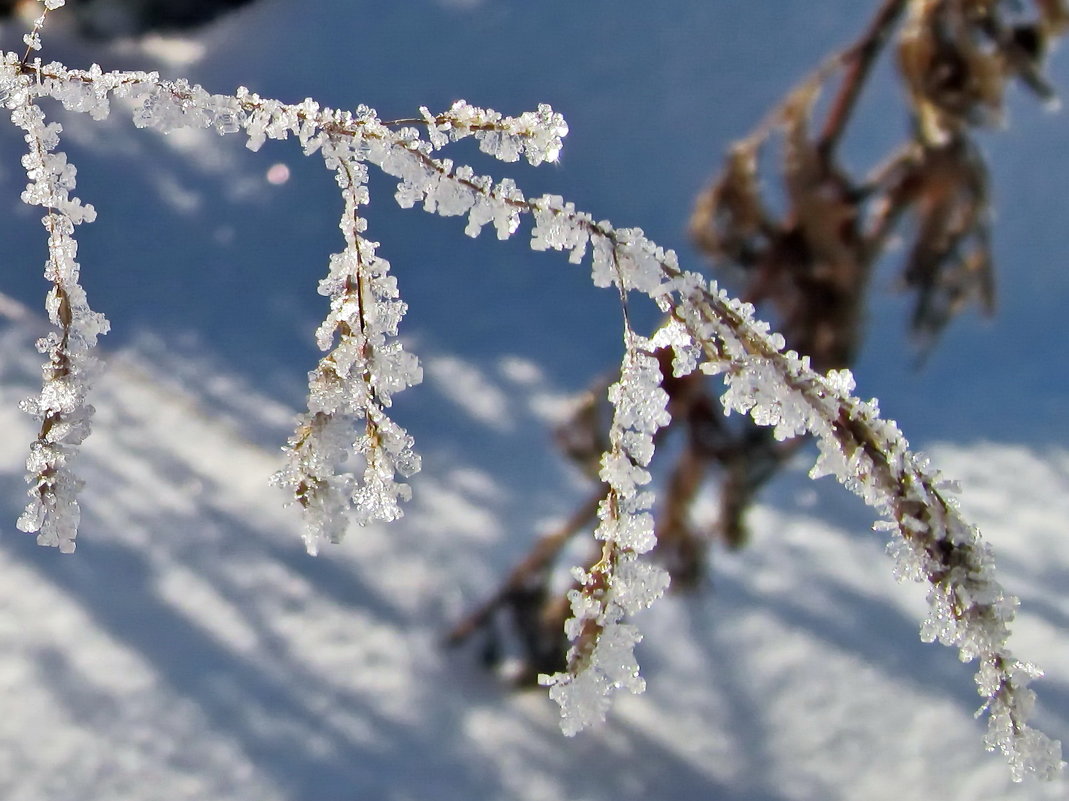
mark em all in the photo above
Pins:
pixel 349 459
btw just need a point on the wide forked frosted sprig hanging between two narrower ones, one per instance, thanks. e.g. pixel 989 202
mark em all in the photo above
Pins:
pixel 354 384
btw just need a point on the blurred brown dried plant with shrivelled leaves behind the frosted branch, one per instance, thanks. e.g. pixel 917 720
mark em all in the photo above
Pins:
pixel 807 258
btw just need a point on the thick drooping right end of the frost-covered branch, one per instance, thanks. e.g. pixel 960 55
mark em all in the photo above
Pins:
pixel 931 541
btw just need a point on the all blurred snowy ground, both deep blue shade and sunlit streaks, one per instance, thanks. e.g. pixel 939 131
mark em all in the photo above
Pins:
pixel 191 650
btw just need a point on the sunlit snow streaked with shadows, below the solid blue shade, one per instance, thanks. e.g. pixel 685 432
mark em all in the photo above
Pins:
pixel 191 650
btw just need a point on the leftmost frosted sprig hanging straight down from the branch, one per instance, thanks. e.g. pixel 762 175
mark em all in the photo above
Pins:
pixel 61 408
